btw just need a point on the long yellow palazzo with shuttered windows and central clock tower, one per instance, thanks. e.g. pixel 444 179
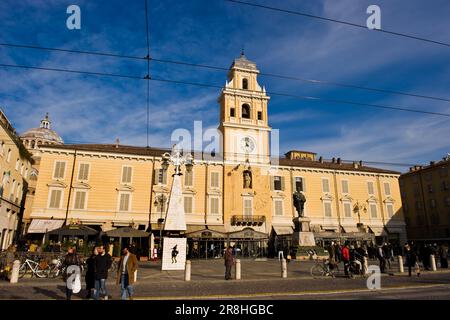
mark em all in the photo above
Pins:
pixel 242 196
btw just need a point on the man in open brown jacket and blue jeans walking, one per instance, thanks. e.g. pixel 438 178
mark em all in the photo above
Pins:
pixel 128 265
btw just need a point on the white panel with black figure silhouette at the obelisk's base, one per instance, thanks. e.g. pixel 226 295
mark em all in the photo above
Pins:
pixel 174 254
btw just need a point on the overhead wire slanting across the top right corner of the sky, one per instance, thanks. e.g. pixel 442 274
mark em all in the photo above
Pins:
pixel 351 24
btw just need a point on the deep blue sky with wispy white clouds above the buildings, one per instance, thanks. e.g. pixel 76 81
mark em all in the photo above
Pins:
pixel 99 109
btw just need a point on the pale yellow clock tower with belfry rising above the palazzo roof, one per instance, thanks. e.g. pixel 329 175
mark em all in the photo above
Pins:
pixel 243 115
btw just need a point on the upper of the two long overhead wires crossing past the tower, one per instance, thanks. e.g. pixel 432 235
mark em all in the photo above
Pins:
pixel 218 68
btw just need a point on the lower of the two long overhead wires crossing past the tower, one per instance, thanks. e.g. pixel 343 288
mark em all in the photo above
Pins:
pixel 310 98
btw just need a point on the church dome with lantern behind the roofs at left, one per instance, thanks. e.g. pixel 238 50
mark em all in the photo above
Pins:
pixel 42 135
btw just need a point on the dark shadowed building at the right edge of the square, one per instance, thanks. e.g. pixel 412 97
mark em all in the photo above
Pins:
pixel 426 201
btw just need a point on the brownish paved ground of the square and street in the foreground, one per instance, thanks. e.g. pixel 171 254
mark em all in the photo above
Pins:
pixel 260 280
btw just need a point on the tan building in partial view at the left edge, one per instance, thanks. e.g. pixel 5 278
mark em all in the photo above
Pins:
pixel 15 167
